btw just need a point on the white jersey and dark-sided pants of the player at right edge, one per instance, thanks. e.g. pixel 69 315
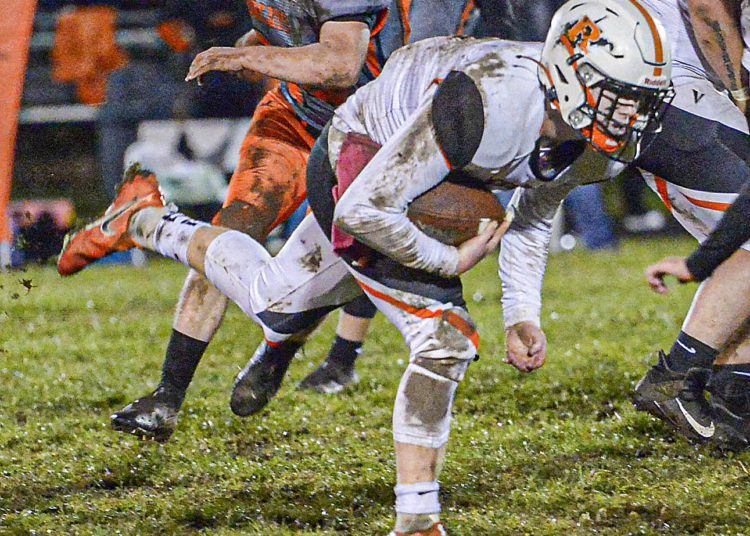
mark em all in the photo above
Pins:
pixel 701 159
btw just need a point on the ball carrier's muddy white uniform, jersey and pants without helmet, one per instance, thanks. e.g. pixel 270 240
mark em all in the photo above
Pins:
pixel 411 110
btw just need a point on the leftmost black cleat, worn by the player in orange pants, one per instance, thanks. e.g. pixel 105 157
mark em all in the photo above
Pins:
pixel 152 417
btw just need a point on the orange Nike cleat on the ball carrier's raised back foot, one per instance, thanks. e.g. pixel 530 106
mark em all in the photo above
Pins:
pixel 108 234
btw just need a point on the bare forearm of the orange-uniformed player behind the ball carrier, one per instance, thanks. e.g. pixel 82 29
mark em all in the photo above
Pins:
pixel 334 62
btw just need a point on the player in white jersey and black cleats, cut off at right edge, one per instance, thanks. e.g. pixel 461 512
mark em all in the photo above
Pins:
pixel 698 164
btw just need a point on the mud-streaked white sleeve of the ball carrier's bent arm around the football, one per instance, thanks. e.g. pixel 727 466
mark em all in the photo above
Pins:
pixel 373 209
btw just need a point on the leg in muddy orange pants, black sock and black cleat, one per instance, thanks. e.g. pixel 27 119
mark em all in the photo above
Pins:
pixel 266 187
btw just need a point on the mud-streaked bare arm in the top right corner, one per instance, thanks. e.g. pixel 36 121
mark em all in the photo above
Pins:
pixel 718 34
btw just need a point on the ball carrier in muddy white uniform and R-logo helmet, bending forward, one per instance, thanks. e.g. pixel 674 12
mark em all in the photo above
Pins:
pixel 500 114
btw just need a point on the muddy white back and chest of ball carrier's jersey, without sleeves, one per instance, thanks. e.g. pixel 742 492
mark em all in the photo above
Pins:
pixel 504 69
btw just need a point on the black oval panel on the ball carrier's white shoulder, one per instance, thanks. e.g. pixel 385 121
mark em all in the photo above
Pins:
pixel 458 118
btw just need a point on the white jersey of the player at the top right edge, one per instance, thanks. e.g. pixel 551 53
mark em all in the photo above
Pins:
pixel 697 90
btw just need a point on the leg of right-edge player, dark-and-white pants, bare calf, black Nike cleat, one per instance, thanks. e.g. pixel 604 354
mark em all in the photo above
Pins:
pixel 697 166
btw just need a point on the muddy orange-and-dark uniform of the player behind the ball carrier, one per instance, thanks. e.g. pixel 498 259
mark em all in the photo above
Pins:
pixel 270 176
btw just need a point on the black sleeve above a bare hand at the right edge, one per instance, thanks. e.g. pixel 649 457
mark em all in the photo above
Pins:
pixel 732 231
